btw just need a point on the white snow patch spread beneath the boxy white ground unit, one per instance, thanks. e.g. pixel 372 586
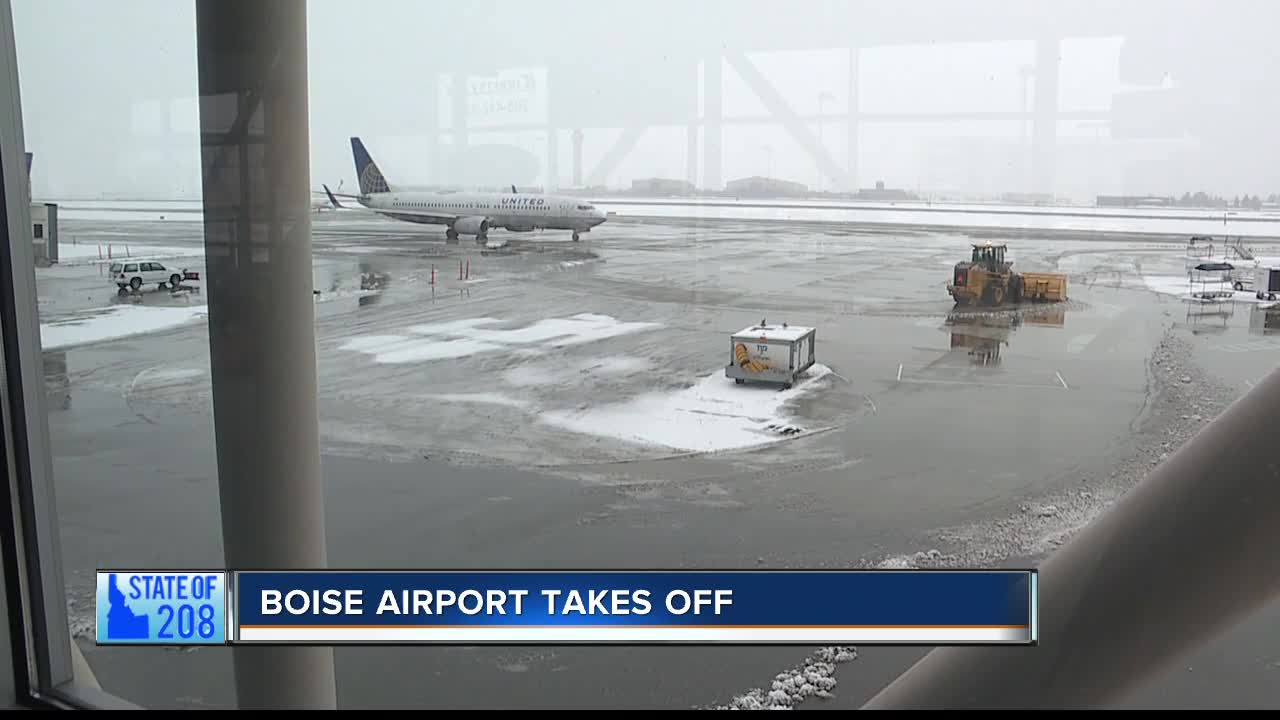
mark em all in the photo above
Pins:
pixel 714 416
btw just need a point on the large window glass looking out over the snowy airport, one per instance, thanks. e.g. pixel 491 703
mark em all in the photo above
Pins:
pixel 543 382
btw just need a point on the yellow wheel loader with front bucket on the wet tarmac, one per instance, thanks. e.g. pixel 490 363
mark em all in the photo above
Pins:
pixel 989 280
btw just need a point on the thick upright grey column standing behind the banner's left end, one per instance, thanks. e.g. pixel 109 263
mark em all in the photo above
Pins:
pixel 253 63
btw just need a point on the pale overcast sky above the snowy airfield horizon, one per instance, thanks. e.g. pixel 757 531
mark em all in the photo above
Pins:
pixel 109 93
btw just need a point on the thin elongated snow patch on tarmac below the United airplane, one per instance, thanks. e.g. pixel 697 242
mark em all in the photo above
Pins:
pixel 460 339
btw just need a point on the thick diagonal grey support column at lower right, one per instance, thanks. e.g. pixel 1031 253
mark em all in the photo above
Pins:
pixel 1183 557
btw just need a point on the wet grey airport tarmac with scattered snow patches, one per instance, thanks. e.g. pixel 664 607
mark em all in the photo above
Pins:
pixel 491 421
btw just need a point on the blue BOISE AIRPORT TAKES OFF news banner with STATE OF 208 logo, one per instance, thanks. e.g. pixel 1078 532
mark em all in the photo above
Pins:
pixel 568 608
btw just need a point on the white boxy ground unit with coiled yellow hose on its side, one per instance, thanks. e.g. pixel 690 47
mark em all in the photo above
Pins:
pixel 771 354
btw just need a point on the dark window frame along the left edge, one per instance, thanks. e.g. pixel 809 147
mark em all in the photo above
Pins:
pixel 42 668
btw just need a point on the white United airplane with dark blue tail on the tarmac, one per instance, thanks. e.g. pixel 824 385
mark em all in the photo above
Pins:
pixel 470 213
